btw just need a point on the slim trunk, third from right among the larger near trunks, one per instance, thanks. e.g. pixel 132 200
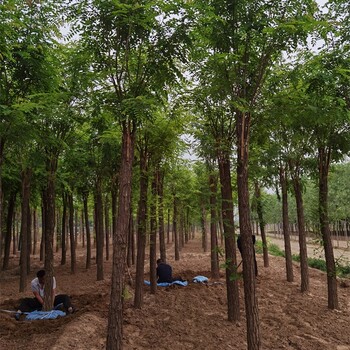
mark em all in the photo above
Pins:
pixel 285 219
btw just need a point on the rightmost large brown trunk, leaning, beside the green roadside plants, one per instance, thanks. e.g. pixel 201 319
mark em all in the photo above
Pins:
pixel 323 167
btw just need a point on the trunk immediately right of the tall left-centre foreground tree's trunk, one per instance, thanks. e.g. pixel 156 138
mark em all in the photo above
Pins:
pixel 141 230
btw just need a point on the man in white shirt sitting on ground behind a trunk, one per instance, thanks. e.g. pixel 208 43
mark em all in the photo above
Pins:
pixel 38 289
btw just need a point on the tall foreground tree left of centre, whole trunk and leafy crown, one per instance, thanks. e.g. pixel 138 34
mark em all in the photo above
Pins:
pixel 134 54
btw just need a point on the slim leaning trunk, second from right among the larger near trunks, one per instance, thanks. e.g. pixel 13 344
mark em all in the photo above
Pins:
pixel 304 268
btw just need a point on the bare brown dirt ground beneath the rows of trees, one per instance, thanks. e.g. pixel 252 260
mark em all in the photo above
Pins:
pixel 192 317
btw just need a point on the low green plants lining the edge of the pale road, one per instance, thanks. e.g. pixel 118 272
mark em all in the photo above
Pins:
pixel 343 271
